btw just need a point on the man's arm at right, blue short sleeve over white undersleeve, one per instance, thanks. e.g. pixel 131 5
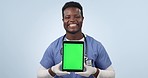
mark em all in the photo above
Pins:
pixel 103 61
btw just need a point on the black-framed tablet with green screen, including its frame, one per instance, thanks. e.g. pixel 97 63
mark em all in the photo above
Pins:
pixel 73 56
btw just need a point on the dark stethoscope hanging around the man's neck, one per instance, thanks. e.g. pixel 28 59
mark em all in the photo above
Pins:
pixel 87 61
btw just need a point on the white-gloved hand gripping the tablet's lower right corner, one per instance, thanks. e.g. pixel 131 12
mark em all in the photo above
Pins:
pixel 89 71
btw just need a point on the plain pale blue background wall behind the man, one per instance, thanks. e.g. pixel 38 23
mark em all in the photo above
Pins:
pixel 27 27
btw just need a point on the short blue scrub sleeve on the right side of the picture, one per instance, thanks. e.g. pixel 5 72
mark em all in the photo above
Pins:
pixel 103 61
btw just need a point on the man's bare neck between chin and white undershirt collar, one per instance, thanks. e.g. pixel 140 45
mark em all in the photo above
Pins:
pixel 76 36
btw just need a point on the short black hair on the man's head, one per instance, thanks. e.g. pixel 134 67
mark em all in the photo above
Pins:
pixel 72 4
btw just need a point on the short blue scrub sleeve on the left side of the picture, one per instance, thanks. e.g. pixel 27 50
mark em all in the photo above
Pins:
pixel 47 59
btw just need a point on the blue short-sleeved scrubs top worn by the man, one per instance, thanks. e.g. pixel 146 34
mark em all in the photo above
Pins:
pixel 95 52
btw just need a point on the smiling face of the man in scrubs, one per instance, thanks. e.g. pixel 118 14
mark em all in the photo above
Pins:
pixel 72 20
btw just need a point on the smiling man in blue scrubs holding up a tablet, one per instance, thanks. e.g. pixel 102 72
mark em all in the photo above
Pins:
pixel 100 67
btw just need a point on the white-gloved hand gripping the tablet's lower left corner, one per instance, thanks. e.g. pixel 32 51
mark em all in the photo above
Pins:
pixel 57 71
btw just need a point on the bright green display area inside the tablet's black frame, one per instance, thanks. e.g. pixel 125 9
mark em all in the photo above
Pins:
pixel 73 56
